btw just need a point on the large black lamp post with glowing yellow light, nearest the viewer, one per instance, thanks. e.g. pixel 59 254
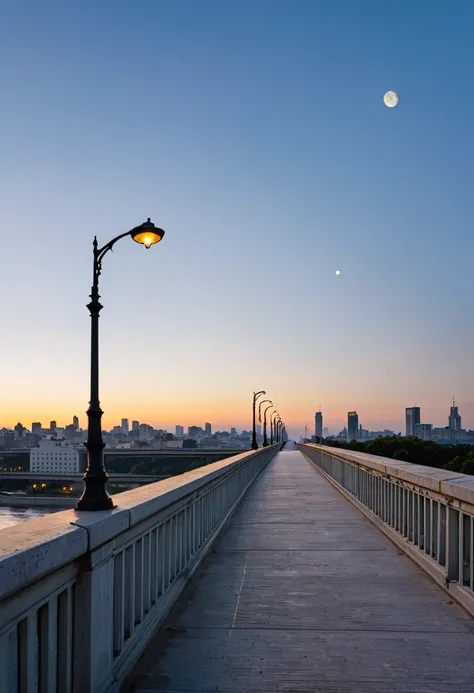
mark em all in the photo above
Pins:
pixel 95 496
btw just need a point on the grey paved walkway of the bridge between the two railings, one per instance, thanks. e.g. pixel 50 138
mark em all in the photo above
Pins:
pixel 304 595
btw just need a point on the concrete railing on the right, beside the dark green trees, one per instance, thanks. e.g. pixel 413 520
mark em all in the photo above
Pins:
pixel 428 512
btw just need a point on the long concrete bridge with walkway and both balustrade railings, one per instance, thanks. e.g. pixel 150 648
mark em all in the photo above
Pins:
pixel 295 571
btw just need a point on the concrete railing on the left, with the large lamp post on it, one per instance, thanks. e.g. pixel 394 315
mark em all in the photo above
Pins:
pixel 82 593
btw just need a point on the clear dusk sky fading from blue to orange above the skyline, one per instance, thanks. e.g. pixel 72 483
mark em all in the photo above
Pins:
pixel 255 133
